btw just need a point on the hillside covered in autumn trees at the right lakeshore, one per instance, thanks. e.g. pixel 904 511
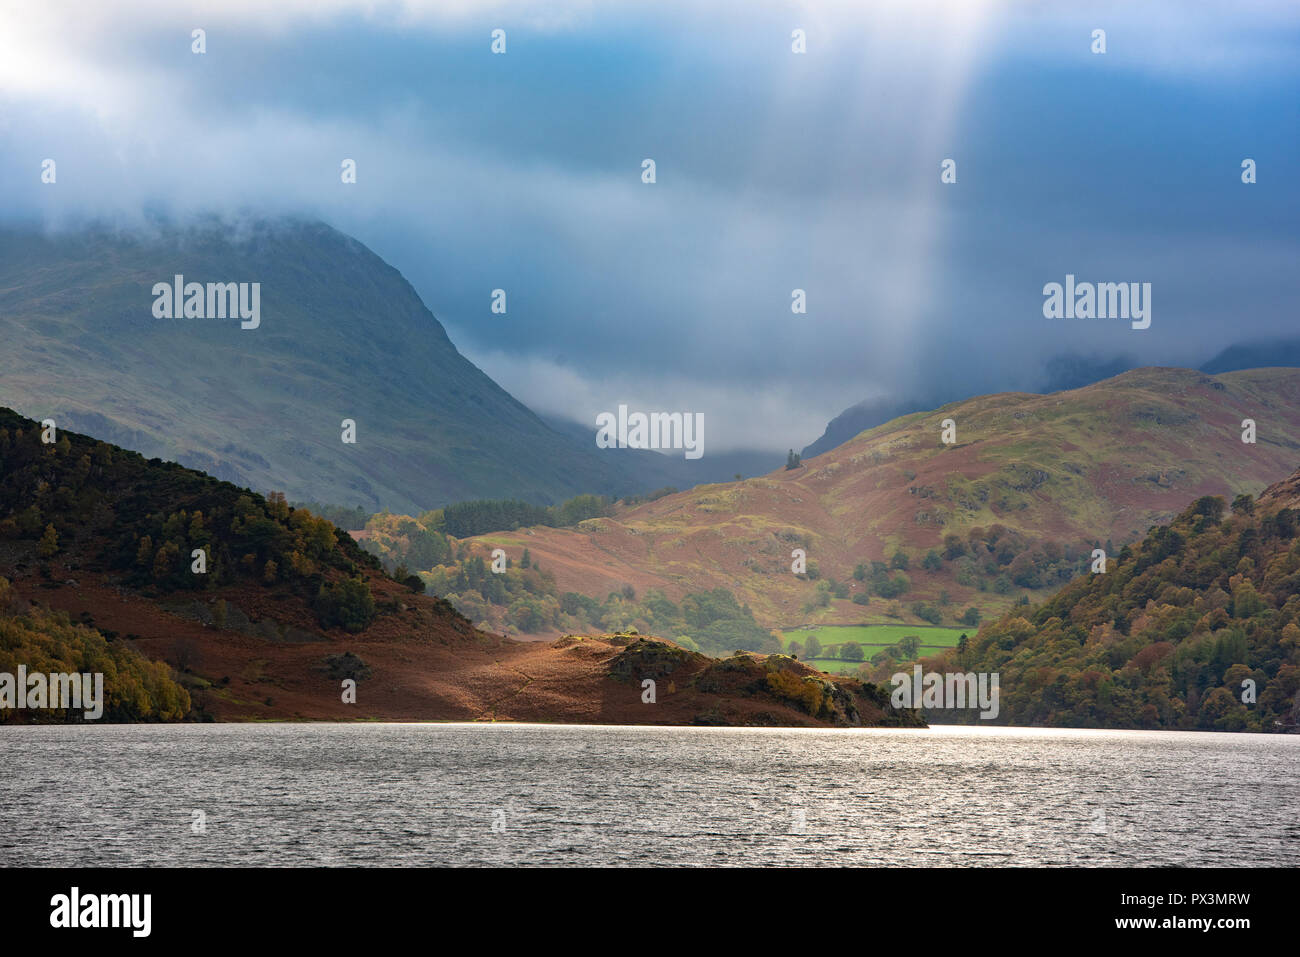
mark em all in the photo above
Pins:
pixel 1197 627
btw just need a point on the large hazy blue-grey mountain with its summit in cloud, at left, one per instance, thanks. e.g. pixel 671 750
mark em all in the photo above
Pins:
pixel 341 336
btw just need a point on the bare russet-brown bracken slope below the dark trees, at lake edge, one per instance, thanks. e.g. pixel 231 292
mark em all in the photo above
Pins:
pixel 422 665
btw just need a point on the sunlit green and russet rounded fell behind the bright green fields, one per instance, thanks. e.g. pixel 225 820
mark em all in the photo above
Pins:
pixel 1016 506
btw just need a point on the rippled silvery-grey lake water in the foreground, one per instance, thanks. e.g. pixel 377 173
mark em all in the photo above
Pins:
pixel 564 795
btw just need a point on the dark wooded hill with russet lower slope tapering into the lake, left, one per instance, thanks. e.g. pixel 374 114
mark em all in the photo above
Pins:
pixel 265 612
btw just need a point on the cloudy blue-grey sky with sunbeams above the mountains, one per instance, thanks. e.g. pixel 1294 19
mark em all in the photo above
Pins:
pixel 774 171
